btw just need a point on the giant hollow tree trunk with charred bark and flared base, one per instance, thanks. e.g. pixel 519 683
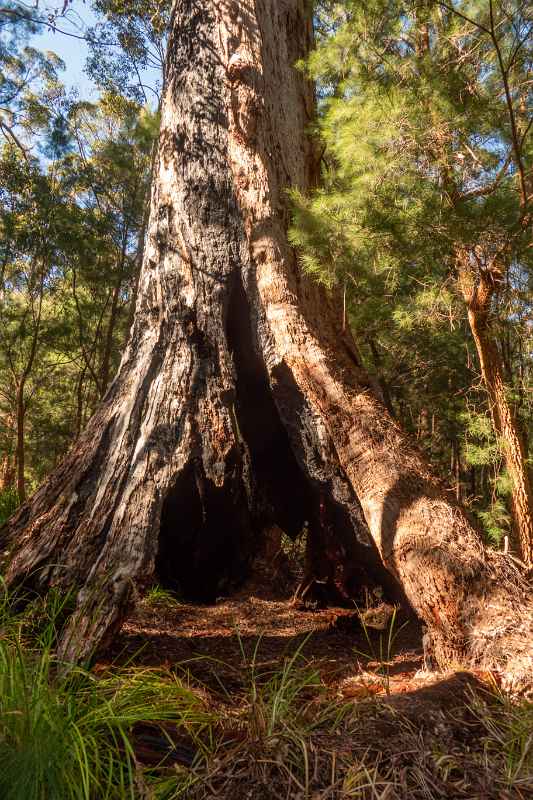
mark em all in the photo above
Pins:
pixel 240 399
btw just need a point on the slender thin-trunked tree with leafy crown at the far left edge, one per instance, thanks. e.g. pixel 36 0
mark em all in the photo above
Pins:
pixel 35 223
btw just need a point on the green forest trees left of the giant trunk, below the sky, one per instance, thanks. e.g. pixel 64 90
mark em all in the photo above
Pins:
pixel 72 237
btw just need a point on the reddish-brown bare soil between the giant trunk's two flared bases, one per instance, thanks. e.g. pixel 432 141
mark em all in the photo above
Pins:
pixel 264 619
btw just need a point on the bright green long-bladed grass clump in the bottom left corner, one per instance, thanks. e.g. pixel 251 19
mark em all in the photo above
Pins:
pixel 70 734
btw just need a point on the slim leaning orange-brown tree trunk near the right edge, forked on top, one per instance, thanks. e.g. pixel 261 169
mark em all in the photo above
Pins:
pixel 478 292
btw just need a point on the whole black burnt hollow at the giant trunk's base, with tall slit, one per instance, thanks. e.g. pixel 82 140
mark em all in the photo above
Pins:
pixel 209 534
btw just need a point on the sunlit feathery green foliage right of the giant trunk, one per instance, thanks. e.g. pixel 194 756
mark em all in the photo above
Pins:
pixel 420 164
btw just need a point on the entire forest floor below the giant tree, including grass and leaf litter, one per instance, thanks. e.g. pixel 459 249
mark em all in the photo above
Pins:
pixel 255 696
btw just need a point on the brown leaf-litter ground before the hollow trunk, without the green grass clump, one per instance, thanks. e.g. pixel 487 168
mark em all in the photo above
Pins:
pixel 319 704
